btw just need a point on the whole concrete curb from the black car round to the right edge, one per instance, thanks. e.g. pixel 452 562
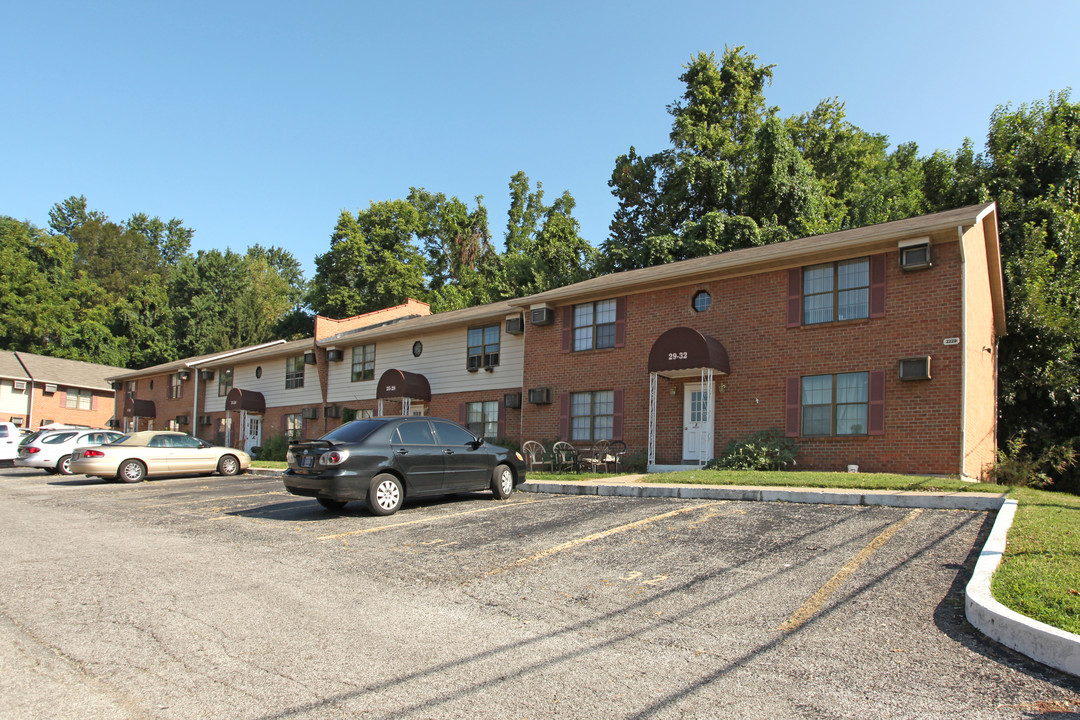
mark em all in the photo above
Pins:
pixel 1039 642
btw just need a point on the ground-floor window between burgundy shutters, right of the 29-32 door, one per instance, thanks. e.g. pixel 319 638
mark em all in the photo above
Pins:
pixel 836 404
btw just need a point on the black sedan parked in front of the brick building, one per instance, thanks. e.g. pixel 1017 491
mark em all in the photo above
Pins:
pixel 386 460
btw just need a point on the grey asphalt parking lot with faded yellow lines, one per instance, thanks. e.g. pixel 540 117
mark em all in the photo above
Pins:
pixel 217 597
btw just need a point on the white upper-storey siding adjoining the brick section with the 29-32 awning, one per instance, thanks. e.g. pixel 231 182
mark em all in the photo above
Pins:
pixel 443 363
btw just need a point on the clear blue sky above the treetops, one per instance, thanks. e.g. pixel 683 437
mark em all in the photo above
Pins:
pixel 260 123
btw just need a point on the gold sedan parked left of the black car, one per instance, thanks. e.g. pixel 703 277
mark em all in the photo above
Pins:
pixel 138 456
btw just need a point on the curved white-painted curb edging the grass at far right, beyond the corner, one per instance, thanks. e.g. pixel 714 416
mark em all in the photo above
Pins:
pixel 1050 646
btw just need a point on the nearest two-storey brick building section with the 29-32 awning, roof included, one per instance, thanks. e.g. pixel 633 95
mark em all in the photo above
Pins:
pixel 875 347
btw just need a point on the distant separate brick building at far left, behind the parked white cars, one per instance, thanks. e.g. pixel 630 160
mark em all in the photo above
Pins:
pixel 38 390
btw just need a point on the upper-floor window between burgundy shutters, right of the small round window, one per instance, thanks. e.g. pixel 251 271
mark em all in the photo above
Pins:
pixel 836 291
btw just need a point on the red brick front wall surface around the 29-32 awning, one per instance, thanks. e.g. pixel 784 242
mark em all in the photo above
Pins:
pixel 749 317
